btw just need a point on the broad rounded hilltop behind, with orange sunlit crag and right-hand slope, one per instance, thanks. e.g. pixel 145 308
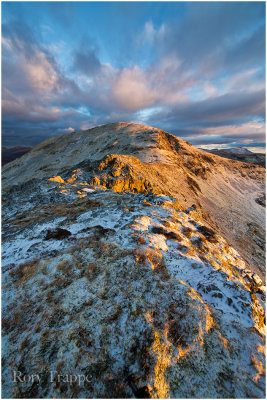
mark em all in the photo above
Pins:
pixel 228 193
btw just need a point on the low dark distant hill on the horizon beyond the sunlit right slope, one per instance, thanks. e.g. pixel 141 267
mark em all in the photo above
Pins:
pixel 241 154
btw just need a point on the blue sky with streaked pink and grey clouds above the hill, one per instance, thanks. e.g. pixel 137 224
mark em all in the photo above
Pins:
pixel 194 69
